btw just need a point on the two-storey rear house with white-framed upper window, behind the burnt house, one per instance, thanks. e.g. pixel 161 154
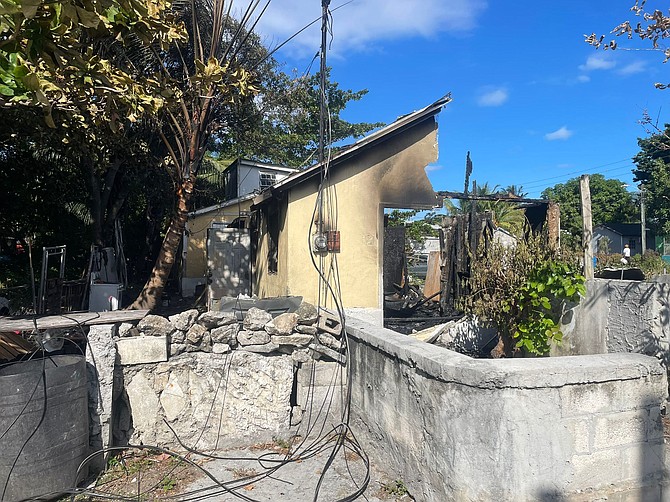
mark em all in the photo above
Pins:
pixel 243 180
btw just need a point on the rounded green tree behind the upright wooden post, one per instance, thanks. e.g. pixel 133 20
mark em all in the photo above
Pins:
pixel 610 203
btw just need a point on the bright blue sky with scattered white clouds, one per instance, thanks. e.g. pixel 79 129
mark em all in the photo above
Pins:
pixel 533 103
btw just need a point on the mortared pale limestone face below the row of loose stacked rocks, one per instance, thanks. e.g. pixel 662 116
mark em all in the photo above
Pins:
pixel 206 399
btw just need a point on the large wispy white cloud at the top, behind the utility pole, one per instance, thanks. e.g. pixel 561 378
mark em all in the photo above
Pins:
pixel 358 25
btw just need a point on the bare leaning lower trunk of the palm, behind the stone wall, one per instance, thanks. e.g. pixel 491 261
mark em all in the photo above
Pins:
pixel 153 289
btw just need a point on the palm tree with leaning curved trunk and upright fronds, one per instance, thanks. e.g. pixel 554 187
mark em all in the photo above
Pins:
pixel 209 79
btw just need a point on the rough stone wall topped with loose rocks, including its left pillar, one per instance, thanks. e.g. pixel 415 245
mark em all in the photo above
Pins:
pixel 205 379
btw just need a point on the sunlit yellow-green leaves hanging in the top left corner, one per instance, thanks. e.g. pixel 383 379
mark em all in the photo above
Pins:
pixel 50 56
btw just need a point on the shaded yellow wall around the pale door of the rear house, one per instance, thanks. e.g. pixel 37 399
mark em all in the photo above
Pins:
pixel 195 258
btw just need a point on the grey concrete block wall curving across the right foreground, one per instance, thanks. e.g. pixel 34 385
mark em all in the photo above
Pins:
pixel 455 428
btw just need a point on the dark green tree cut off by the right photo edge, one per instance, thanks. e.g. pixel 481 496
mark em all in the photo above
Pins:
pixel 652 172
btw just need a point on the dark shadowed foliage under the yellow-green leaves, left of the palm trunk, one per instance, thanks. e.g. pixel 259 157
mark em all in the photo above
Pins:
pixel 72 192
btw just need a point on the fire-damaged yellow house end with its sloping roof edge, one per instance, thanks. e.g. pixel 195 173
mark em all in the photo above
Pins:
pixel 386 169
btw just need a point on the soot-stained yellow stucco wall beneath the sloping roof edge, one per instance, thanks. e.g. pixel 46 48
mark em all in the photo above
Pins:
pixel 388 175
